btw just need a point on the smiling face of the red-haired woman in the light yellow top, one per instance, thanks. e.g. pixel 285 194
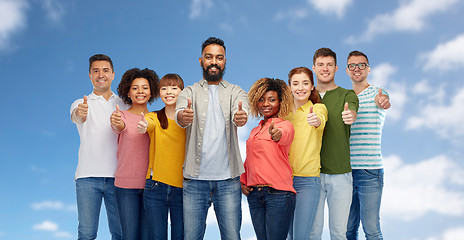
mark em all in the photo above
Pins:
pixel 301 87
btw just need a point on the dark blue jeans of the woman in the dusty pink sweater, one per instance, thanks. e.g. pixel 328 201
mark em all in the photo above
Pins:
pixel 132 213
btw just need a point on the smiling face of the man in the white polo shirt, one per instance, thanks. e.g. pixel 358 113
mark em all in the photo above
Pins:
pixel 101 74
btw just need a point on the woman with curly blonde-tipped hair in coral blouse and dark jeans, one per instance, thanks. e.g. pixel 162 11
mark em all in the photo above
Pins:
pixel 267 181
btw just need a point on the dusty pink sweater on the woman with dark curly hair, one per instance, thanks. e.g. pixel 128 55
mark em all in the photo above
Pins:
pixel 132 154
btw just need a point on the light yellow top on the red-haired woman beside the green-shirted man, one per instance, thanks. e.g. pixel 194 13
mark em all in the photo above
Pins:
pixel 305 151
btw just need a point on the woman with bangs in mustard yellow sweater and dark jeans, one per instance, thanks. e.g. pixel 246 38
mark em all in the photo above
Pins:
pixel 163 187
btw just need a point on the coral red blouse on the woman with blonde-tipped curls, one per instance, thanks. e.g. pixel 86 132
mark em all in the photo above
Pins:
pixel 267 162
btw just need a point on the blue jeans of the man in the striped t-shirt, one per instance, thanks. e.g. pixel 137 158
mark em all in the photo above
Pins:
pixel 365 206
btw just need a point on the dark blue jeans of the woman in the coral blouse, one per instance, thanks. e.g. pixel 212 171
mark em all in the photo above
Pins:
pixel 271 211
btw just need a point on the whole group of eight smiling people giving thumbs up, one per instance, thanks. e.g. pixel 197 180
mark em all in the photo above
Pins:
pixel 315 143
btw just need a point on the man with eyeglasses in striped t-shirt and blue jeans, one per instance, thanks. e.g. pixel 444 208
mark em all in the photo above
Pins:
pixel 366 156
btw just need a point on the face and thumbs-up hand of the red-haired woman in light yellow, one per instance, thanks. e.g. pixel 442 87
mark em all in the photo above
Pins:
pixel 301 87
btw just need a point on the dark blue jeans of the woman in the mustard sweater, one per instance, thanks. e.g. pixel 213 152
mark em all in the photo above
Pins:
pixel 159 199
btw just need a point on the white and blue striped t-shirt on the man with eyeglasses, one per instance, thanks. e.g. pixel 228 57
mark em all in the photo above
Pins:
pixel 366 132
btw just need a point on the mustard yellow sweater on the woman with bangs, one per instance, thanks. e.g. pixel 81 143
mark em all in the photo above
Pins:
pixel 167 151
